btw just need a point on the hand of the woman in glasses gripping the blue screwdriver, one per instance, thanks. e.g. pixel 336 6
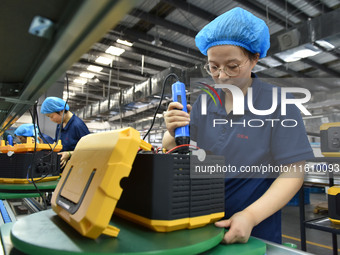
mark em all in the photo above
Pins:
pixel 174 118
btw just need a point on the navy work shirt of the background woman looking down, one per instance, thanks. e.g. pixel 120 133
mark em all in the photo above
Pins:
pixel 72 132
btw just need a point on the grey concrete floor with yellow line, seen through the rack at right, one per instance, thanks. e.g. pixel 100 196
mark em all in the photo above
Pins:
pixel 318 242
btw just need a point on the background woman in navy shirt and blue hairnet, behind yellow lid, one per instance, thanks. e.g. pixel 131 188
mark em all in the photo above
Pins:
pixel 70 127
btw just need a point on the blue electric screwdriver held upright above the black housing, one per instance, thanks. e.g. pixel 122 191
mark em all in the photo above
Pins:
pixel 182 135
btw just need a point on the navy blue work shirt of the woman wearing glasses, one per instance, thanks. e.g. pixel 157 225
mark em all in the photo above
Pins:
pixel 246 146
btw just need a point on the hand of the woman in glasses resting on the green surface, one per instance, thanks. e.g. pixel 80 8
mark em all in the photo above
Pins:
pixel 240 226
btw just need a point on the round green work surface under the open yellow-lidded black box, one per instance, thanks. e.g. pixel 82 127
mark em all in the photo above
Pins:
pixel 46 233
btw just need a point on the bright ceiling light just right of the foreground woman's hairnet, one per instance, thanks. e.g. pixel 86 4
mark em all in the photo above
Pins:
pixel 298 53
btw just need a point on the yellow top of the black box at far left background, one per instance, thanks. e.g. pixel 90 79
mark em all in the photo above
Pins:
pixel 29 146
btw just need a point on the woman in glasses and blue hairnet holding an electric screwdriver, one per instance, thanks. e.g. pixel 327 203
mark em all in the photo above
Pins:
pixel 233 43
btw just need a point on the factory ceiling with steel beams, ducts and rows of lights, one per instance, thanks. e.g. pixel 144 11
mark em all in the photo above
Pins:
pixel 126 88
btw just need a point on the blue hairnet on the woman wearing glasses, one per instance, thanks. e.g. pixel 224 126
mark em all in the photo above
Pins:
pixel 235 27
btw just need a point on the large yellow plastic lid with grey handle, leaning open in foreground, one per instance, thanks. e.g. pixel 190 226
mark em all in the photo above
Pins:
pixel 89 188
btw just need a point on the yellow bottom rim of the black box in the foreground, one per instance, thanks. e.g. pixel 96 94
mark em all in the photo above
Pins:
pixel 170 225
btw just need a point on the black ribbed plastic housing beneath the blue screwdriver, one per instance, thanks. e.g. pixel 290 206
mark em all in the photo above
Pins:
pixel 159 187
